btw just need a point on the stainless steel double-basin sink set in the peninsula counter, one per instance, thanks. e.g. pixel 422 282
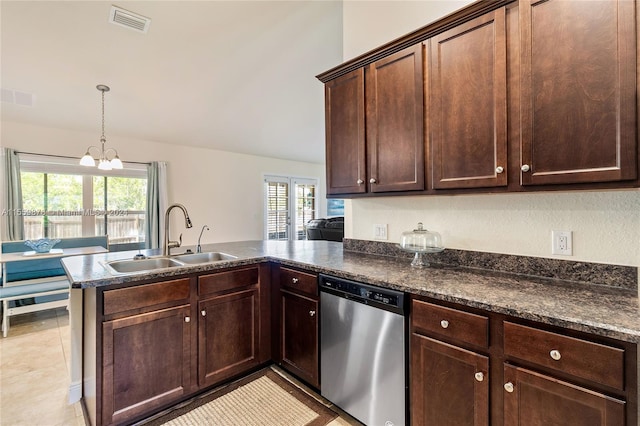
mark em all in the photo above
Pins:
pixel 129 266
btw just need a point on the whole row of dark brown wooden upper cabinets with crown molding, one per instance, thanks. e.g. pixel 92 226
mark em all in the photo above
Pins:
pixel 499 96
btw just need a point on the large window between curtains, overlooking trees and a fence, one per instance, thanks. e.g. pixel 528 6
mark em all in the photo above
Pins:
pixel 61 199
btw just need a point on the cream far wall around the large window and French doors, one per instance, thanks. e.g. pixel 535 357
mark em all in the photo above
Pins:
pixel 221 189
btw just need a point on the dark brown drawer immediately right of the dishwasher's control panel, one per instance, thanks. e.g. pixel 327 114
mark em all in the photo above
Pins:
pixel 453 323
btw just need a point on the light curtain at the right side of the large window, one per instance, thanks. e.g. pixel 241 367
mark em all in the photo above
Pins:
pixel 156 203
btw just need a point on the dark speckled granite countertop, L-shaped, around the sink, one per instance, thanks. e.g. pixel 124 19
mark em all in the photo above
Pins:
pixel 600 310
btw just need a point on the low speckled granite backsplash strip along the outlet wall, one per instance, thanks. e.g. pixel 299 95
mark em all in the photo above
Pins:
pixel 624 277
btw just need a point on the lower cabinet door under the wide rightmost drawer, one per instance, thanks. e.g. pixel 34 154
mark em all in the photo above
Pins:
pixel 532 399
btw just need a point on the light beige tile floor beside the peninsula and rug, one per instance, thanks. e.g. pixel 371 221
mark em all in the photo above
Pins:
pixel 34 373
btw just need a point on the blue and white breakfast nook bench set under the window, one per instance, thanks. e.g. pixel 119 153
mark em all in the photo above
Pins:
pixel 26 275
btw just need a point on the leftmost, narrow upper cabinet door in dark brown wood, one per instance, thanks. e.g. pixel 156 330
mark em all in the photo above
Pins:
pixel 345 138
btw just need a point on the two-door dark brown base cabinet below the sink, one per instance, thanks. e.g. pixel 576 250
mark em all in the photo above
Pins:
pixel 161 342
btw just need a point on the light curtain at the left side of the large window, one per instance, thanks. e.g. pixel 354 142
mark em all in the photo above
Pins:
pixel 12 223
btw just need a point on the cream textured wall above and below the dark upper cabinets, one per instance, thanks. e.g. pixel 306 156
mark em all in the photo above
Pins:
pixel 606 225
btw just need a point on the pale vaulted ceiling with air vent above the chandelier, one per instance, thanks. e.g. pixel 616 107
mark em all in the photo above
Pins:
pixel 231 75
